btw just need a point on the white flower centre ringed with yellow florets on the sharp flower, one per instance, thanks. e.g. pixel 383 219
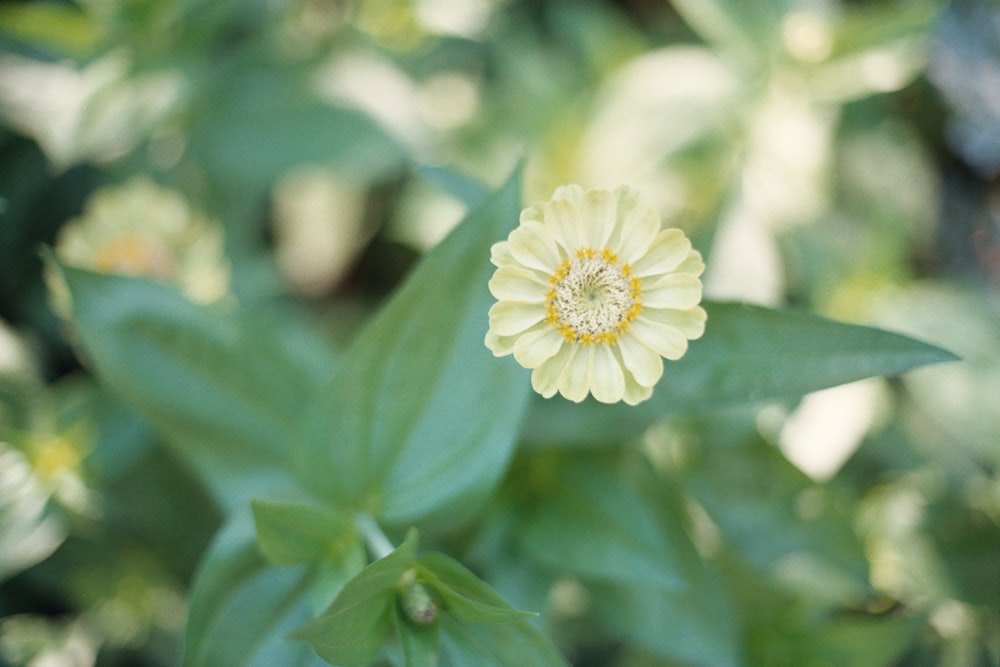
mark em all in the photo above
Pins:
pixel 593 298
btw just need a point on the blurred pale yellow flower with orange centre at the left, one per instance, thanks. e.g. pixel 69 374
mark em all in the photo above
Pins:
pixel 143 229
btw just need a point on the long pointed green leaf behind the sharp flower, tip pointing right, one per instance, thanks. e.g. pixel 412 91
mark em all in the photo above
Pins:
pixel 748 355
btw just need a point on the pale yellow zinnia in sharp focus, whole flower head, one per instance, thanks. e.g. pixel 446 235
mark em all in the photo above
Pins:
pixel 593 294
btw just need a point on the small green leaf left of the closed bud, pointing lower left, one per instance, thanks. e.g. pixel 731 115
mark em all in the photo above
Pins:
pixel 357 624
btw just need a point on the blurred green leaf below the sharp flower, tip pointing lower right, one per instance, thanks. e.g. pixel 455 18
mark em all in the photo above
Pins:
pixel 591 522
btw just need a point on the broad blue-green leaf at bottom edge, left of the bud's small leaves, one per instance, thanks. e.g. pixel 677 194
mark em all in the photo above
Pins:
pixel 242 608
